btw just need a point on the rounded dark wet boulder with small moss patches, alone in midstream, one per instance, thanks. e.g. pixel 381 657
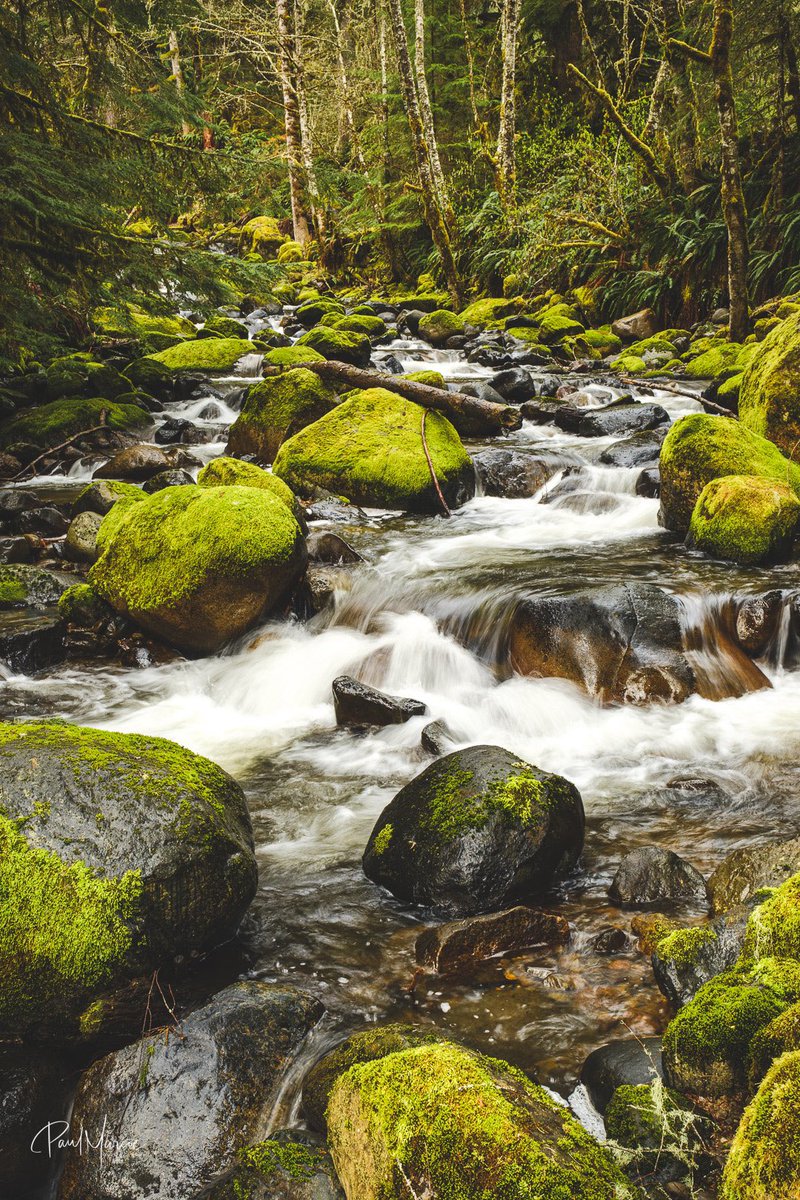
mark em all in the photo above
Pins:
pixel 476 832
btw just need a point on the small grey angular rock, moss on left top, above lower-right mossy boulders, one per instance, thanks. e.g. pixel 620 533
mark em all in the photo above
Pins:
pixel 688 958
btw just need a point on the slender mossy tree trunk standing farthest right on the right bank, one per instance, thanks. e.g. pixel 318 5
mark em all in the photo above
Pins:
pixel 733 199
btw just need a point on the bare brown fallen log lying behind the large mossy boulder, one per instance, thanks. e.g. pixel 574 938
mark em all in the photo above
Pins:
pixel 470 415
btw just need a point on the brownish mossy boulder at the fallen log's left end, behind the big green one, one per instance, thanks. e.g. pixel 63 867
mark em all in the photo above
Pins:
pixel 276 410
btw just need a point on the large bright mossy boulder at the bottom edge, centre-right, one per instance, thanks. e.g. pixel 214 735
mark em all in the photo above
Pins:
pixel 442 1121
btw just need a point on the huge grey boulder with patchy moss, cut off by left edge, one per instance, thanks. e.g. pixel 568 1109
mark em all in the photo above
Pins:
pixel 117 853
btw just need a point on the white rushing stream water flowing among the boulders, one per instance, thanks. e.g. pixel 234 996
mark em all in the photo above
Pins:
pixel 425 617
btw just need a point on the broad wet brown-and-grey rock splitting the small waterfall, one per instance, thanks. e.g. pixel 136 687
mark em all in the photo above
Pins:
pixel 621 644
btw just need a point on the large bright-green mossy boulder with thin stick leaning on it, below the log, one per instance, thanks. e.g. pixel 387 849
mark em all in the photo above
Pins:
pixel 370 451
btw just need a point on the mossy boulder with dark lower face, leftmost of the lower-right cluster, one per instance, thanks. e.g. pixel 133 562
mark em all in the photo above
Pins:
pixel 706 1047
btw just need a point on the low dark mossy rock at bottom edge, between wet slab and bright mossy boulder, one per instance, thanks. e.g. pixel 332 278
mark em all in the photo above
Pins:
pixel 292 1165
